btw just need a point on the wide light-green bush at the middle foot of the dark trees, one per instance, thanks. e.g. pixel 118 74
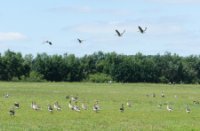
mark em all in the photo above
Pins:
pixel 99 78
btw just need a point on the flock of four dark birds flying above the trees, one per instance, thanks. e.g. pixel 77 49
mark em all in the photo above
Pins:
pixel 119 34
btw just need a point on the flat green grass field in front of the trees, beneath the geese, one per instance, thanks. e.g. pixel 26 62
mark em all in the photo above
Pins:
pixel 145 114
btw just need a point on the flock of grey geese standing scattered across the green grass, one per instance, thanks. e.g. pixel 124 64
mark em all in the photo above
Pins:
pixel 73 104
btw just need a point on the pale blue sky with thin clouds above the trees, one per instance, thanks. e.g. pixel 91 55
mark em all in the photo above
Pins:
pixel 172 26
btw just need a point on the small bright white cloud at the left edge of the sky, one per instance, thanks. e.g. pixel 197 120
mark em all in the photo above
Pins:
pixel 12 36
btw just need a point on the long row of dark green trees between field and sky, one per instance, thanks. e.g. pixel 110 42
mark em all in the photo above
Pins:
pixel 100 67
